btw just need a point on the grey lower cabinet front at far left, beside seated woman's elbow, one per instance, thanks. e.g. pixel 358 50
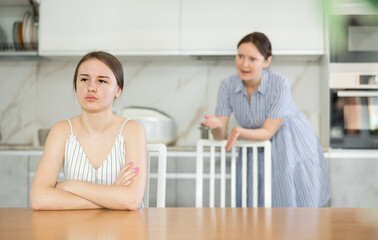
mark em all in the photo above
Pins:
pixel 13 180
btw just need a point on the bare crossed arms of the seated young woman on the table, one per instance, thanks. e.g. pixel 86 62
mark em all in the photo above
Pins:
pixel 126 193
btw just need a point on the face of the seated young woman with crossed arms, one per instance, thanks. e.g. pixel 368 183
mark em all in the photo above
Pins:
pixel 96 86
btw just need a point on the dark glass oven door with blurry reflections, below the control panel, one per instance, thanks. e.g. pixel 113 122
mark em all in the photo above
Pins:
pixel 354 119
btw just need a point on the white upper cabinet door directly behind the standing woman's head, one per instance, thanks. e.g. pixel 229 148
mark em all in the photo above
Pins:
pixel 216 26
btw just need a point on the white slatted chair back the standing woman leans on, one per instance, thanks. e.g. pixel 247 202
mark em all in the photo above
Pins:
pixel 213 144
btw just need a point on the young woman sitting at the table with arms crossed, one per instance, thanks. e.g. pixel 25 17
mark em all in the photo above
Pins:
pixel 103 155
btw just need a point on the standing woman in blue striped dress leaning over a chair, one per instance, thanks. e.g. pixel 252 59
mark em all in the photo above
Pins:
pixel 262 104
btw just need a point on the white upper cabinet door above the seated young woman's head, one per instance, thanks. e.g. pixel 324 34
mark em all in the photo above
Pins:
pixel 73 27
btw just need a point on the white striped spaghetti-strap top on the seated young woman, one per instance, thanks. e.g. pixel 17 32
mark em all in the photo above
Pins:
pixel 77 166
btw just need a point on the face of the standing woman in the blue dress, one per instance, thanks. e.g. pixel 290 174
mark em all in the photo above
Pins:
pixel 250 62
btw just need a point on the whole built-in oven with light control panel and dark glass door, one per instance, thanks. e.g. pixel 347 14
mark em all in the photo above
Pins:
pixel 354 110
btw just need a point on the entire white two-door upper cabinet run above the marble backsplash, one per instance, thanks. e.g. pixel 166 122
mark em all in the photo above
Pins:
pixel 178 27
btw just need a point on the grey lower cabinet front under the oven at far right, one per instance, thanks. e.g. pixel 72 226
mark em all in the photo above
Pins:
pixel 354 182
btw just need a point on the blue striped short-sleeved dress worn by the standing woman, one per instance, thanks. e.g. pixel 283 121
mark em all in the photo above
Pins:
pixel 299 173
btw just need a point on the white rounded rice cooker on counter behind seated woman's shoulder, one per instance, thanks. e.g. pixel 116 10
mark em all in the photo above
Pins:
pixel 160 127
